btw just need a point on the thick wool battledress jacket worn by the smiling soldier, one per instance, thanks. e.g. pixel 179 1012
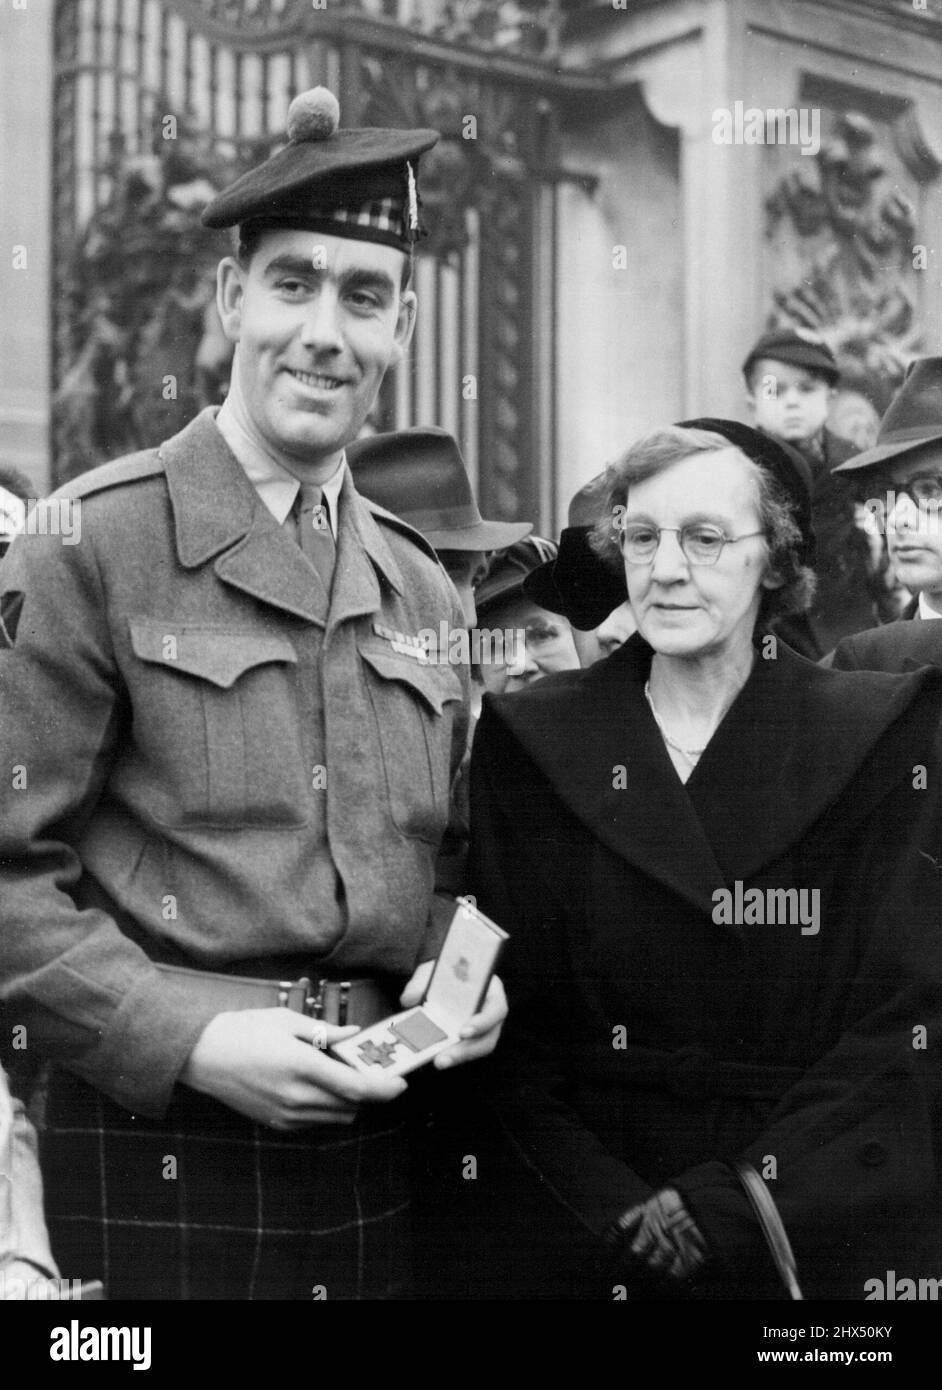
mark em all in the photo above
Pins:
pixel 219 767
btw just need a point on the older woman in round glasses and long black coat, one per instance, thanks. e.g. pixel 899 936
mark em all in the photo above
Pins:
pixel 720 869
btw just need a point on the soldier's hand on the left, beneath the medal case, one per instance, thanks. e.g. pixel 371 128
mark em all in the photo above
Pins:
pixel 272 1065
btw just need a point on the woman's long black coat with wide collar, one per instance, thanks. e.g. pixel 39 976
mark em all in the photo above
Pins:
pixel 654 1042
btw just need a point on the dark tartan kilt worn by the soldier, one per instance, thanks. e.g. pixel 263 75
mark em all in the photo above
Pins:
pixel 244 1211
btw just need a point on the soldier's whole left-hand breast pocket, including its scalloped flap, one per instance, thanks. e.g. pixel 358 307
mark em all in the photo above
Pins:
pixel 216 717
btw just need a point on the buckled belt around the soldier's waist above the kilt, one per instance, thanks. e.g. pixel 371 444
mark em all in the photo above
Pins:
pixel 358 1003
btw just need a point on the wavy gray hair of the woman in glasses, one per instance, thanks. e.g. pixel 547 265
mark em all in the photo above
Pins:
pixel 658 451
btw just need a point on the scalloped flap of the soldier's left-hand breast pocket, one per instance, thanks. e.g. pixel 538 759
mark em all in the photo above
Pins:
pixel 215 654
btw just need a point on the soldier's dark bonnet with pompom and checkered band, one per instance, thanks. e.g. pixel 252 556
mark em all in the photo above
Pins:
pixel 358 184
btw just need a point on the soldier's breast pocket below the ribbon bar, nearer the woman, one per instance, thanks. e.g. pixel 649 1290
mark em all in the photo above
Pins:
pixel 413 710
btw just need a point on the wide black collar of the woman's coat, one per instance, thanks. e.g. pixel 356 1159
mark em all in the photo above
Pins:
pixel 790 744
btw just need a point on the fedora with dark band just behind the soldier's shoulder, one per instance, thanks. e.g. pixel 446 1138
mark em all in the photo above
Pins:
pixel 420 476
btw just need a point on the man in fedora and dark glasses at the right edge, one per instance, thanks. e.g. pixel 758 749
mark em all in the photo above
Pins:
pixel 902 477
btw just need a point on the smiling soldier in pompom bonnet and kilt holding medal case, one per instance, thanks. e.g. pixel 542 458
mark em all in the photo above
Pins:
pixel 234 778
